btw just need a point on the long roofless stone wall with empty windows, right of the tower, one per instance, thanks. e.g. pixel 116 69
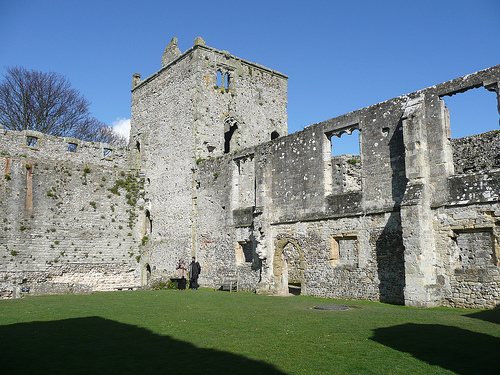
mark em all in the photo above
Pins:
pixel 375 240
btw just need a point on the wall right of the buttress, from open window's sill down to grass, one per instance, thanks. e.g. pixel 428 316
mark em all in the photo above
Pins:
pixel 467 236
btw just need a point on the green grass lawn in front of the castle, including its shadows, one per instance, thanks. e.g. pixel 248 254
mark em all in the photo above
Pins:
pixel 206 332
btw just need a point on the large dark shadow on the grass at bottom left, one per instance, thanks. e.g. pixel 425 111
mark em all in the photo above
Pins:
pixel 95 345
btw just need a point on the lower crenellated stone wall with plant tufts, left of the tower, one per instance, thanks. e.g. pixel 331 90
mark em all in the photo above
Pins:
pixel 58 214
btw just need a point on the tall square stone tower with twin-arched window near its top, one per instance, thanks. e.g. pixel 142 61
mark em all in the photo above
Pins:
pixel 202 103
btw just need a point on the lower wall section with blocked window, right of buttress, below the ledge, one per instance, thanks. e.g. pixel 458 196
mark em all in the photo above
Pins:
pixel 468 242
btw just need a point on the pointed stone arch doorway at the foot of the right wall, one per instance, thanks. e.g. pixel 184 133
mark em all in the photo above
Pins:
pixel 289 265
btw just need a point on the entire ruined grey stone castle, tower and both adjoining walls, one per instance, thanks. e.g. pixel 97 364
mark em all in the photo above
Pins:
pixel 210 171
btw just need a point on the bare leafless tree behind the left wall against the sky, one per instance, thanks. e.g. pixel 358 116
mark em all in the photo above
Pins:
pixel 46 102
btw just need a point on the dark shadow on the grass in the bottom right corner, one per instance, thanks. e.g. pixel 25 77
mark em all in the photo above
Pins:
pixel 461 351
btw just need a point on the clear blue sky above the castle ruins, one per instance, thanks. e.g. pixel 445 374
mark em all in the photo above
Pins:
pixel 340 55
